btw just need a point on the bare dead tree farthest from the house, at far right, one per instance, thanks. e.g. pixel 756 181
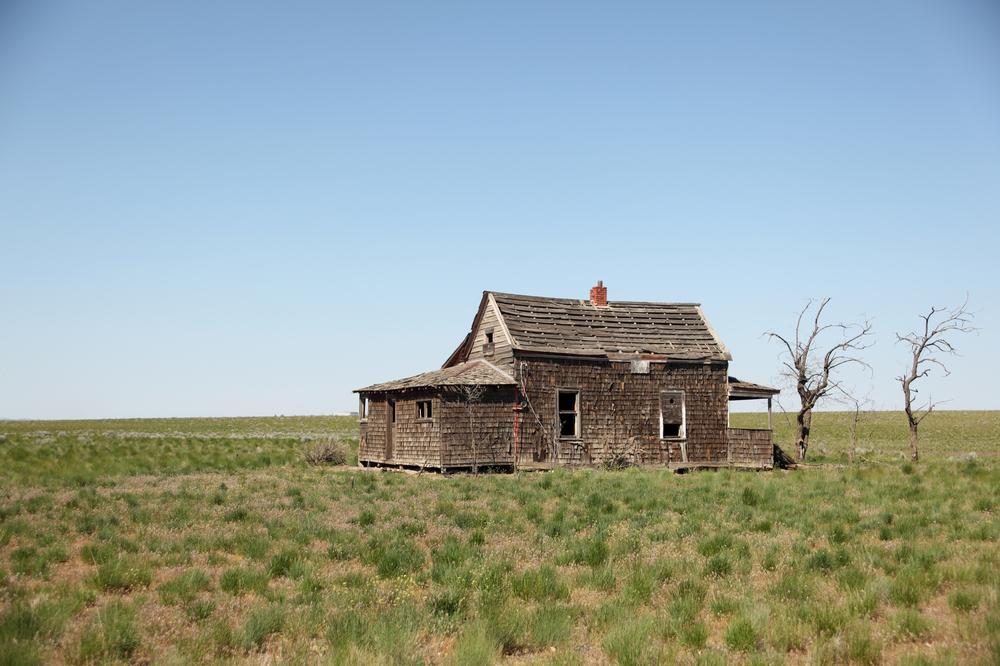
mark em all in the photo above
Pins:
pixel 927 344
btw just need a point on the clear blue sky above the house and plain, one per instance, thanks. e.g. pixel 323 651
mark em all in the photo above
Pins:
pixel 224 208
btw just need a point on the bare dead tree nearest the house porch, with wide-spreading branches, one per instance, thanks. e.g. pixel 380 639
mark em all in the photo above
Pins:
pixel 813 370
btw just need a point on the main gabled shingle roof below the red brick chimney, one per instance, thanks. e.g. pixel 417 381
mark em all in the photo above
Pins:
pixel 620 329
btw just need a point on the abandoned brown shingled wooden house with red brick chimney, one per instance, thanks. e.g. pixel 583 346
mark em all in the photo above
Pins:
pixel 541 382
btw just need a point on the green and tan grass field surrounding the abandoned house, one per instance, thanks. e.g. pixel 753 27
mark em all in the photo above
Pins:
pixel 183 540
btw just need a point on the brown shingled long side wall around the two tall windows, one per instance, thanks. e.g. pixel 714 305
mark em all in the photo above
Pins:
pixel 620 410
